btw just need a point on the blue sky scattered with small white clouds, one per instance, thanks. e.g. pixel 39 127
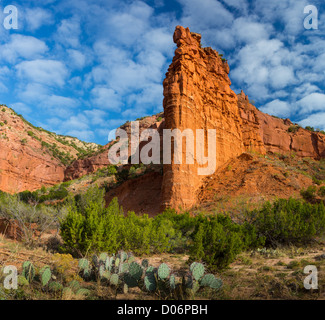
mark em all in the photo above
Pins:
pixel 82 67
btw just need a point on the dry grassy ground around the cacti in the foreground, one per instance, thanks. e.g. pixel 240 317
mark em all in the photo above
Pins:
pixel 256 275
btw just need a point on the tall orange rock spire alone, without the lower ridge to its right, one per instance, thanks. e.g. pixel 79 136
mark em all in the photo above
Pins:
pixel 197 95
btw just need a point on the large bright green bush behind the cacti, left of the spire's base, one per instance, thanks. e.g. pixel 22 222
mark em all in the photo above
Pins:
pixel 89 226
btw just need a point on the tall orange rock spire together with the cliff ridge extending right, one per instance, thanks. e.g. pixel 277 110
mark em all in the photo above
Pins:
pixel 197 95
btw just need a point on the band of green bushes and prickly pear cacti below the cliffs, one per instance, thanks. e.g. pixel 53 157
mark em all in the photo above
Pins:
pixel 96 245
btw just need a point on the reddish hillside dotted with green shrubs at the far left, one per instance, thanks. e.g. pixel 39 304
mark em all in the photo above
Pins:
pixel 32 157
